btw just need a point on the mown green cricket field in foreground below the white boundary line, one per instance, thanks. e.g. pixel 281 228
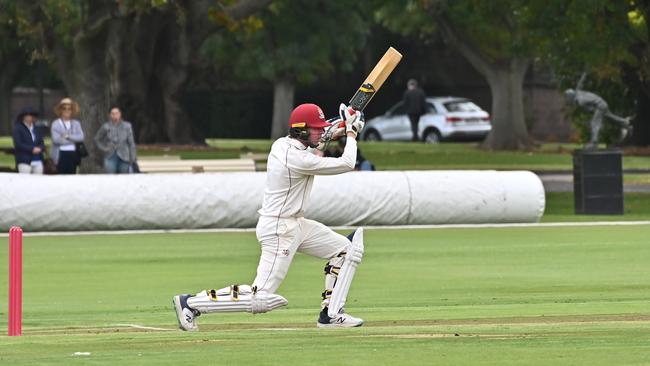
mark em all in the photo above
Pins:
pixel 482 296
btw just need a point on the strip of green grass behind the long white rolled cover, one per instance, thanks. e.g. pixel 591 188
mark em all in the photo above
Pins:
pixel 400 156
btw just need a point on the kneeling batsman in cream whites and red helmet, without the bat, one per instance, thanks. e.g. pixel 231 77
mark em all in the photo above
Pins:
pixel 282 230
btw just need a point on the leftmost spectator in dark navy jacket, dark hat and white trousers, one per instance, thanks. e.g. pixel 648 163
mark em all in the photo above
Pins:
pixel 28 144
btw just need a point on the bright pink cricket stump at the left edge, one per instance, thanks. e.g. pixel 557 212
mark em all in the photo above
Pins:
pixel 15 281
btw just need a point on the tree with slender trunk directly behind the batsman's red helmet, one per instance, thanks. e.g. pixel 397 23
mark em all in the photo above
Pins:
pixel 296 42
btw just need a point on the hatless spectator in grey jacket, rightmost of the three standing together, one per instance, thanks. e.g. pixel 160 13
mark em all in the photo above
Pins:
pixel 115 139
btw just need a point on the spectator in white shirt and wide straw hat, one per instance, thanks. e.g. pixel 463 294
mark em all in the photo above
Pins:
pixel 66 132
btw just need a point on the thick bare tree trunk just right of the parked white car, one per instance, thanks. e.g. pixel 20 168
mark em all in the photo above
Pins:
pixel 509 130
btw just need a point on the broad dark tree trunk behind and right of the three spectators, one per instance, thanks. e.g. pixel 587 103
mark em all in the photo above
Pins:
pixel 148 75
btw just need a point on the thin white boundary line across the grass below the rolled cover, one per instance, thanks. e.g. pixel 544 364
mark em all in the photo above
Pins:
pixel 386 227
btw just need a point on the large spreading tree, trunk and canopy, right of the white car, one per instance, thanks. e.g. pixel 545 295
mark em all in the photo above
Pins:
pixel 500 38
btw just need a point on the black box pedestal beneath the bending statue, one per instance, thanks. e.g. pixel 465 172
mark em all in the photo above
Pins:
pixel 598 182
